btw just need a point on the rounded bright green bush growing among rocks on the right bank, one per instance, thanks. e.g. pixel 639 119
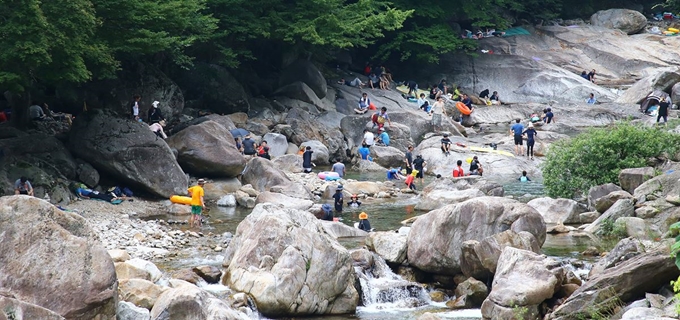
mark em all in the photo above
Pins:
pixel 597 156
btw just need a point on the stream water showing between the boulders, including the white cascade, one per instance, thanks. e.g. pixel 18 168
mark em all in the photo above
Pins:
pixel 385 294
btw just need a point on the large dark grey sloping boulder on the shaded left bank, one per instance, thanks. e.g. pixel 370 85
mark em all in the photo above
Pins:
pixel 128 151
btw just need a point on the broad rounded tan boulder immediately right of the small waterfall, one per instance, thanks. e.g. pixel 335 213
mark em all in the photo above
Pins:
pixel 436 238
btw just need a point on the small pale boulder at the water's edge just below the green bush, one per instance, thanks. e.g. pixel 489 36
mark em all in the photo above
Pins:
pixel 565 211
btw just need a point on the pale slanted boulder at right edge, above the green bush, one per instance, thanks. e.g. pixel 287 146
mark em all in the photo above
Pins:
pixel 663 80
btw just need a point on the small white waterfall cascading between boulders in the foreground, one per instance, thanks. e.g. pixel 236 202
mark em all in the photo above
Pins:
pixel 382 289
